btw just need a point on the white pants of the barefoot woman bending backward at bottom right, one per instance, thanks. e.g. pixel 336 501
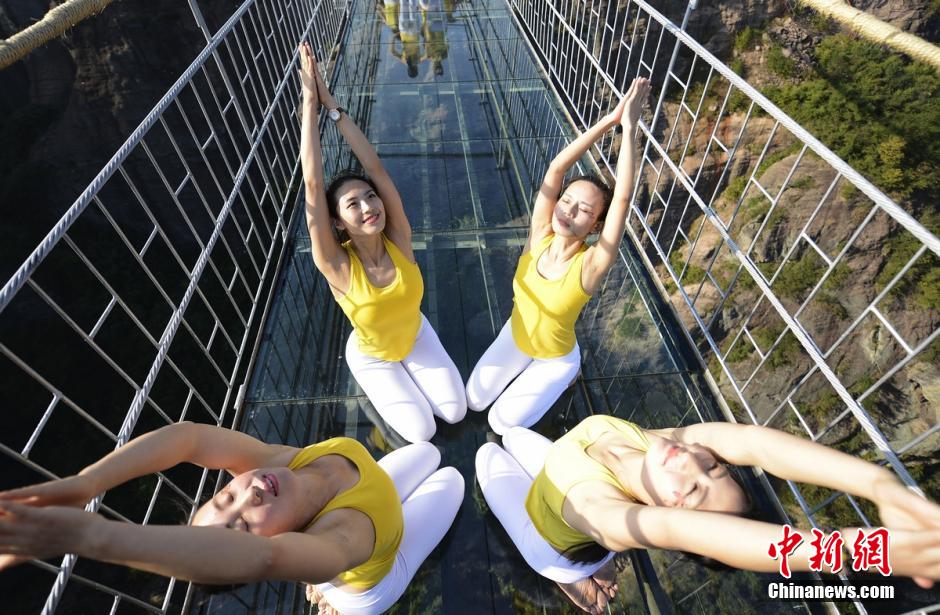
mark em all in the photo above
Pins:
pixel 505 477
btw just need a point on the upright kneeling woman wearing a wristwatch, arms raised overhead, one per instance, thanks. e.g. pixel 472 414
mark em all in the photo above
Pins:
pixel 394 354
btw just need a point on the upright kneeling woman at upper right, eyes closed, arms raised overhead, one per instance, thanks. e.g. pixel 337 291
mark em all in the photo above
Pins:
pixel 556 276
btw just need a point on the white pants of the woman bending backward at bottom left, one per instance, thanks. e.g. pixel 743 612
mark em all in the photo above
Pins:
pixel 430 501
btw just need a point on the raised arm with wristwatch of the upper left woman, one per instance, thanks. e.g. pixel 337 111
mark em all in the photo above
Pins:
pixel 397 226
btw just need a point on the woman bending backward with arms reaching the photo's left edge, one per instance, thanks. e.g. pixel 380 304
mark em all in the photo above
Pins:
pixel 326 514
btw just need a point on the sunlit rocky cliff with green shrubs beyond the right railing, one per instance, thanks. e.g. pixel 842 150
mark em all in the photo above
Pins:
pixel 790 56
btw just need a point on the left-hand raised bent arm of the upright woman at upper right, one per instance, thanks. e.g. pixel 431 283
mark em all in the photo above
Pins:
pixel 545 200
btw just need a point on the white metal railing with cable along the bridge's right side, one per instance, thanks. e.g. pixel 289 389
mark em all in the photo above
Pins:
pixel 765 242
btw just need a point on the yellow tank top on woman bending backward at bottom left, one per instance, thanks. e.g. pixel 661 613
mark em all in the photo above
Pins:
pixel 374 495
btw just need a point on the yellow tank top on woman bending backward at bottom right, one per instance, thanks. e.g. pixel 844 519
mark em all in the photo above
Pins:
pixel 566 465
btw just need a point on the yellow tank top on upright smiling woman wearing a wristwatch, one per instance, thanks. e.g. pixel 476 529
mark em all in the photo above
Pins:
pixel 386 320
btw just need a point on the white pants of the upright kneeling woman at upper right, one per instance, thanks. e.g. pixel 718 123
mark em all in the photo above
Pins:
pixel 539 384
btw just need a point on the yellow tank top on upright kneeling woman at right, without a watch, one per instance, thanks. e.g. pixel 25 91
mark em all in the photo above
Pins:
pixel 544 311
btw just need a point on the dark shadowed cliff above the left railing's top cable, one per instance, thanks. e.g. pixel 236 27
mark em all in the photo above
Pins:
pixel 69 105
